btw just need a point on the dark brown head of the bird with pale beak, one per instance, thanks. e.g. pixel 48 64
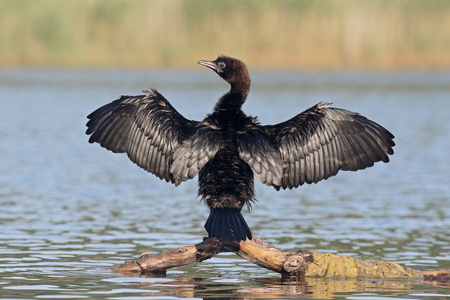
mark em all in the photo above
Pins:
pixel 232 70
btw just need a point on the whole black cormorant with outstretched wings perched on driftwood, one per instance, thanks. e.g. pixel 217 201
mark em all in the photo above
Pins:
pixel 228 147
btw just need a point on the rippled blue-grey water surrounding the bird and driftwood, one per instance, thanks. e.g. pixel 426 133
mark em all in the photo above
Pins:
pixel 69 210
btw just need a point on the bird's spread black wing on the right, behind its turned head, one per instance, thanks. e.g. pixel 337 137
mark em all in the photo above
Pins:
pixel 319 142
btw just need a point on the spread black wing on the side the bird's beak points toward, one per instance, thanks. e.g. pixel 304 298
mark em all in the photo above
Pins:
pixel 154 135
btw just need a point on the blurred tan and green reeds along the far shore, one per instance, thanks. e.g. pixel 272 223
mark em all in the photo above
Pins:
pixel 384 34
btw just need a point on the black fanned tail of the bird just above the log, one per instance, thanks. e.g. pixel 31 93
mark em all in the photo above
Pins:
pixel 227 224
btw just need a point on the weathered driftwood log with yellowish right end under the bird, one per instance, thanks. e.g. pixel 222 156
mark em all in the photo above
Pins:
pixel 299 263
